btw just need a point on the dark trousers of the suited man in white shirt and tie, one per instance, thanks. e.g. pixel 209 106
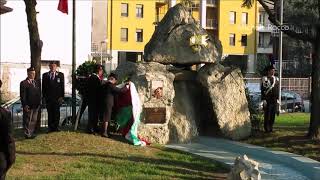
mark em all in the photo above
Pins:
pixel 53 109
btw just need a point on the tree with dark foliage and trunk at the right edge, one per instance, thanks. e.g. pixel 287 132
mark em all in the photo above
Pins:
pixel 307 29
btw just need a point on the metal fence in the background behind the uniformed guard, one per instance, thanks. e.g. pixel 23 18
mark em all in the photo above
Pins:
pixel 302 86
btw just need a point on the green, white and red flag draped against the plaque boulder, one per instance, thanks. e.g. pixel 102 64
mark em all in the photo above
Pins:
pixel 128 111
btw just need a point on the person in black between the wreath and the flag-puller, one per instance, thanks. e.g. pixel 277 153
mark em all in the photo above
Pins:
pixel 94 99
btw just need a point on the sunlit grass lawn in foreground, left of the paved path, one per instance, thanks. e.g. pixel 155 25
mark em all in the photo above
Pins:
pixel 72 155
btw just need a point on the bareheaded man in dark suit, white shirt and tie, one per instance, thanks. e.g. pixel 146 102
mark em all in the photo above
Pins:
pixel 53 94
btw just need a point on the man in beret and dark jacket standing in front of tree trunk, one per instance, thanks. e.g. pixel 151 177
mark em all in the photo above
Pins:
pixel 30 95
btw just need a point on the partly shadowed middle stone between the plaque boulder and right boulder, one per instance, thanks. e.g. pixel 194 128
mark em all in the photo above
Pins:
pixel 185 118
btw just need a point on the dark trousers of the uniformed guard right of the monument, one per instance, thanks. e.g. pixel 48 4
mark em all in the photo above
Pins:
pixel 269 116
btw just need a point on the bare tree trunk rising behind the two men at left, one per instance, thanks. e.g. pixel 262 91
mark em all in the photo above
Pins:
pixel 35 42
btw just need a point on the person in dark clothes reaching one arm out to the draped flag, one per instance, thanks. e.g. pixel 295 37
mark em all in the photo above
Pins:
pixel 110 90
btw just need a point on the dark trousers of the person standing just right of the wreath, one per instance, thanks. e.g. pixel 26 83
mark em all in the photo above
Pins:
pixel 93 118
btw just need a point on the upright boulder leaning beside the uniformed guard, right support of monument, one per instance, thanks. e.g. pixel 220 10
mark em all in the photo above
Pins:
pixel 227 92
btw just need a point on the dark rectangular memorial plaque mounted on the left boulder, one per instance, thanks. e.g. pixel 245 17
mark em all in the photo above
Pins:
pixel 155 115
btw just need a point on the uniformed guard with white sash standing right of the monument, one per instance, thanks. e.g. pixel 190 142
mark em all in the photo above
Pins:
pixel 270 96
